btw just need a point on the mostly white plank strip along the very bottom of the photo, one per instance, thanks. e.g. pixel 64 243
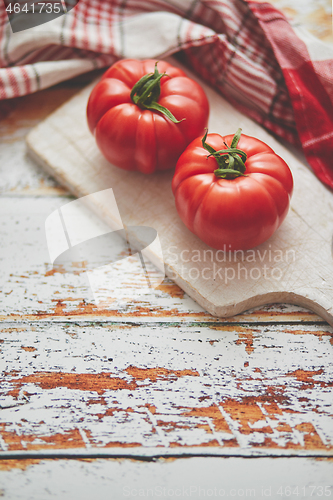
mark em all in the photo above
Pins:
pixel 194 478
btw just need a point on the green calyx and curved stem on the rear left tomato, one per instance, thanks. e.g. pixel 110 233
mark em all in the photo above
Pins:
pixel 146 92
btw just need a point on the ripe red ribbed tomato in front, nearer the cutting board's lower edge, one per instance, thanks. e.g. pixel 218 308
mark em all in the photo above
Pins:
pixel 232 197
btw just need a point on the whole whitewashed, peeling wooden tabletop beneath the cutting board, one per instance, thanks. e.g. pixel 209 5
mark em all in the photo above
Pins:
pixel 147 374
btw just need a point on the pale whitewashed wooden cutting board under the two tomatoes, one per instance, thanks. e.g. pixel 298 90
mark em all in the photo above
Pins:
pixel 294 266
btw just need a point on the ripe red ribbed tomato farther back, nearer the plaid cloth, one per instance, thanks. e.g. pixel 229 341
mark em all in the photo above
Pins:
pixel 143 129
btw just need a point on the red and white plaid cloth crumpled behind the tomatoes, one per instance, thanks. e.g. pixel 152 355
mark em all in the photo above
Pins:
pixel 279 76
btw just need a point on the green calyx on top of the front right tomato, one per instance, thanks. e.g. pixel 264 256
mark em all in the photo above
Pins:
pixel 231 161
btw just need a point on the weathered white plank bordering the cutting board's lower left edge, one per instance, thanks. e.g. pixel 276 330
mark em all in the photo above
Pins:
pixel 32 290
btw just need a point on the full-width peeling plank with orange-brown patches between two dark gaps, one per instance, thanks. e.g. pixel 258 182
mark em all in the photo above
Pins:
pixel 103 385
